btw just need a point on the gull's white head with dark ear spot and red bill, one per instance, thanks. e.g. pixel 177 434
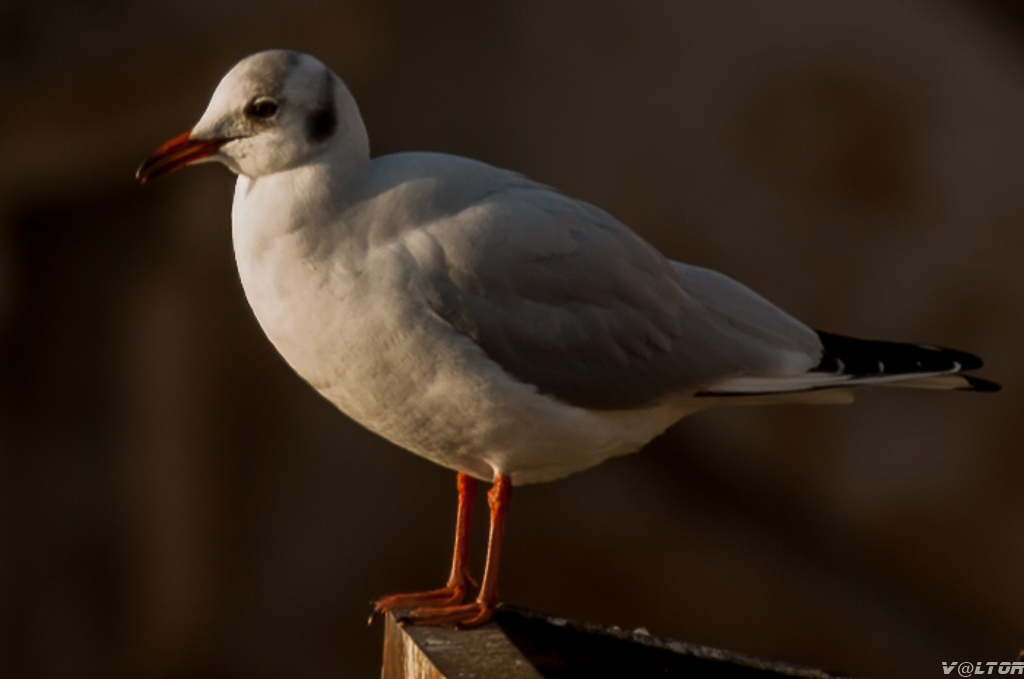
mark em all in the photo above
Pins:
pixel 273 112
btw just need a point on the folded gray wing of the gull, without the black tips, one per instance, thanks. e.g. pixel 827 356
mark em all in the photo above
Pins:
pixel 565 298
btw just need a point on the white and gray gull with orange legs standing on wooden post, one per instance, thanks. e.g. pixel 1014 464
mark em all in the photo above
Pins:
pixel 484 321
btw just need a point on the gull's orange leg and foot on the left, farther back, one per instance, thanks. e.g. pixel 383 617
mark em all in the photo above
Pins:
pixel 455 592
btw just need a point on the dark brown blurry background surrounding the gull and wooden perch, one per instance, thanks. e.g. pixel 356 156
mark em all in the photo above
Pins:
pixel 176 503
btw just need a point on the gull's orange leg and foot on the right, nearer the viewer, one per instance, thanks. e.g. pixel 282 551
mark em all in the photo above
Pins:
pixel 482 611
